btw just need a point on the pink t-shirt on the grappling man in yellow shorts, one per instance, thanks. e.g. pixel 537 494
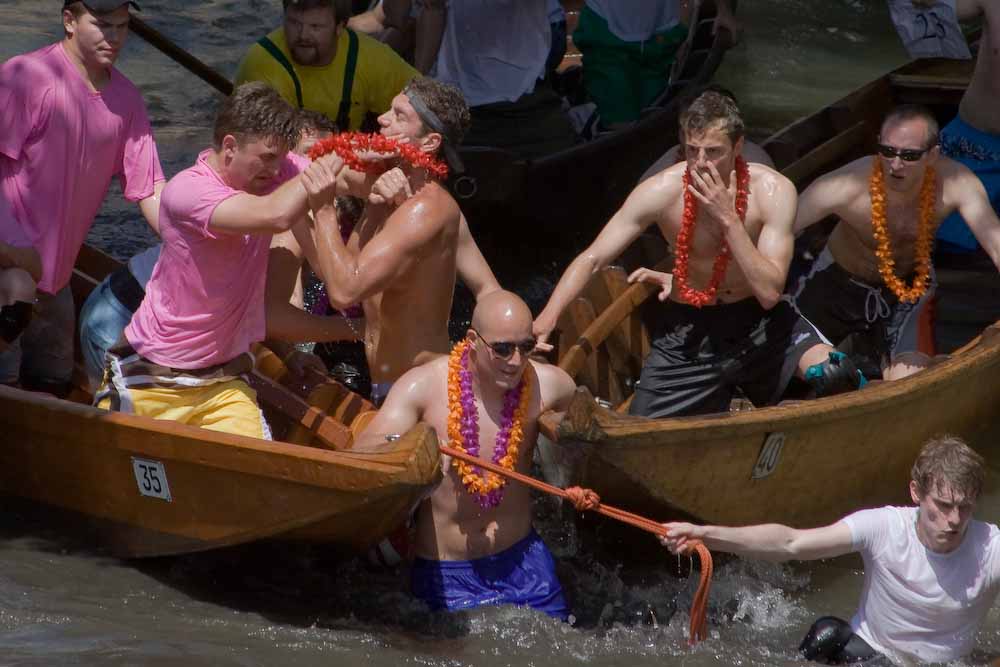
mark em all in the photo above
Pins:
pixel 204 304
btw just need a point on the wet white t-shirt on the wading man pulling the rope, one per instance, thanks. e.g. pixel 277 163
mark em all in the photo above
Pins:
pixel 924 605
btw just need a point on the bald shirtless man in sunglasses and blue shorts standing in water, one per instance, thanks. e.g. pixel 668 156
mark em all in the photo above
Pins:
pixel 470 552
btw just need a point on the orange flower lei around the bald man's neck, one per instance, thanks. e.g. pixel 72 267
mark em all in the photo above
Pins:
pixel 462 427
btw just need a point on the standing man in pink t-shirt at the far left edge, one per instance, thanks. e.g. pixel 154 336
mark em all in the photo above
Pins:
pixel 71 122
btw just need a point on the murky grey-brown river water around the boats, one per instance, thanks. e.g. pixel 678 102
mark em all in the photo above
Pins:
pixel 61 603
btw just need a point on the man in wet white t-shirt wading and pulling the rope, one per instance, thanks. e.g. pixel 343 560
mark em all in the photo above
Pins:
pixel 931 571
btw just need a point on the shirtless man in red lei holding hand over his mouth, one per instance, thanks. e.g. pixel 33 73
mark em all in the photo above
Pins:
pixel 746 336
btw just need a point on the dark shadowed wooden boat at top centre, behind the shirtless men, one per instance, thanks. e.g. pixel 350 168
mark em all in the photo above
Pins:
pixel 590 180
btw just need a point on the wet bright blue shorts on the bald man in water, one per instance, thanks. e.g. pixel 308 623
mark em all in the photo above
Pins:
pixel 523 575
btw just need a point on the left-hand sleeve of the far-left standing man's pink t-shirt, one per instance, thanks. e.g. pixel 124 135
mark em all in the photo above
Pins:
pixel 25 104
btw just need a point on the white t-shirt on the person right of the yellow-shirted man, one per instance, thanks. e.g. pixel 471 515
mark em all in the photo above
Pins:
pixel 494 50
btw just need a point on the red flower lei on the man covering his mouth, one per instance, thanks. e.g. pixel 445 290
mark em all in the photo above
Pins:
pixel 690 295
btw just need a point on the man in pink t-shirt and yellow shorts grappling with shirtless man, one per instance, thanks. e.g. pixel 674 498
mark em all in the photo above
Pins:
pixel 188 344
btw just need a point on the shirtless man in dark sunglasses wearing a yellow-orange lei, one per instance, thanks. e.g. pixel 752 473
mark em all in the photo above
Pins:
pixel 845 292
